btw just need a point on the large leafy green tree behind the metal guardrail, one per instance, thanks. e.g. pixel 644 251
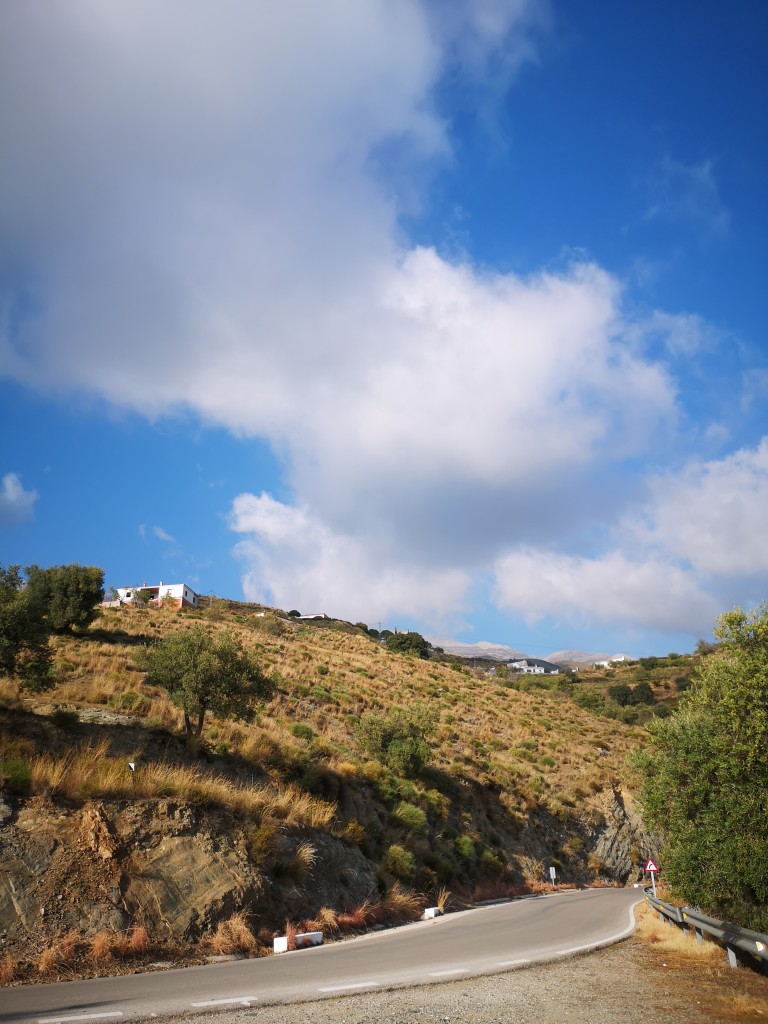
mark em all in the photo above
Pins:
pixel 705 779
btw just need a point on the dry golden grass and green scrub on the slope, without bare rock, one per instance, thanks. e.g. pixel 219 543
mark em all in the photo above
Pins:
pixel 444 778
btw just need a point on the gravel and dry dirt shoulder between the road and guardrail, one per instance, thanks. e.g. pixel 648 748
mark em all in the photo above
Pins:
pixel 628 984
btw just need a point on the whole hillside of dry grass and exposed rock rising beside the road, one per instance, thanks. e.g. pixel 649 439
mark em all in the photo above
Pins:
pixel 287 818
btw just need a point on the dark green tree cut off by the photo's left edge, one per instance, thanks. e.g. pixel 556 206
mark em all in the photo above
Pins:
pixel 24 633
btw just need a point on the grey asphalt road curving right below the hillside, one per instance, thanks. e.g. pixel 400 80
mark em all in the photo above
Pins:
pixel 486 941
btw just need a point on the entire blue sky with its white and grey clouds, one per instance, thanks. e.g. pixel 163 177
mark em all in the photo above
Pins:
pixel 447 317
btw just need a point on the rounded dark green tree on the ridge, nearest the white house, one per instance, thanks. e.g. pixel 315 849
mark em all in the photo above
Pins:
pixel 70 594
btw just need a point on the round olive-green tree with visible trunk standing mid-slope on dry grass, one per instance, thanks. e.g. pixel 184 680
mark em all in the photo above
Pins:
pixel 205 672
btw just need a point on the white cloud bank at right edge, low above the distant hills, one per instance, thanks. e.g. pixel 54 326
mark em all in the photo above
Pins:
pixel 693 549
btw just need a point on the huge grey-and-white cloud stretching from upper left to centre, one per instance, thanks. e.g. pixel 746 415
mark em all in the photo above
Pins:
pixel 200 210
